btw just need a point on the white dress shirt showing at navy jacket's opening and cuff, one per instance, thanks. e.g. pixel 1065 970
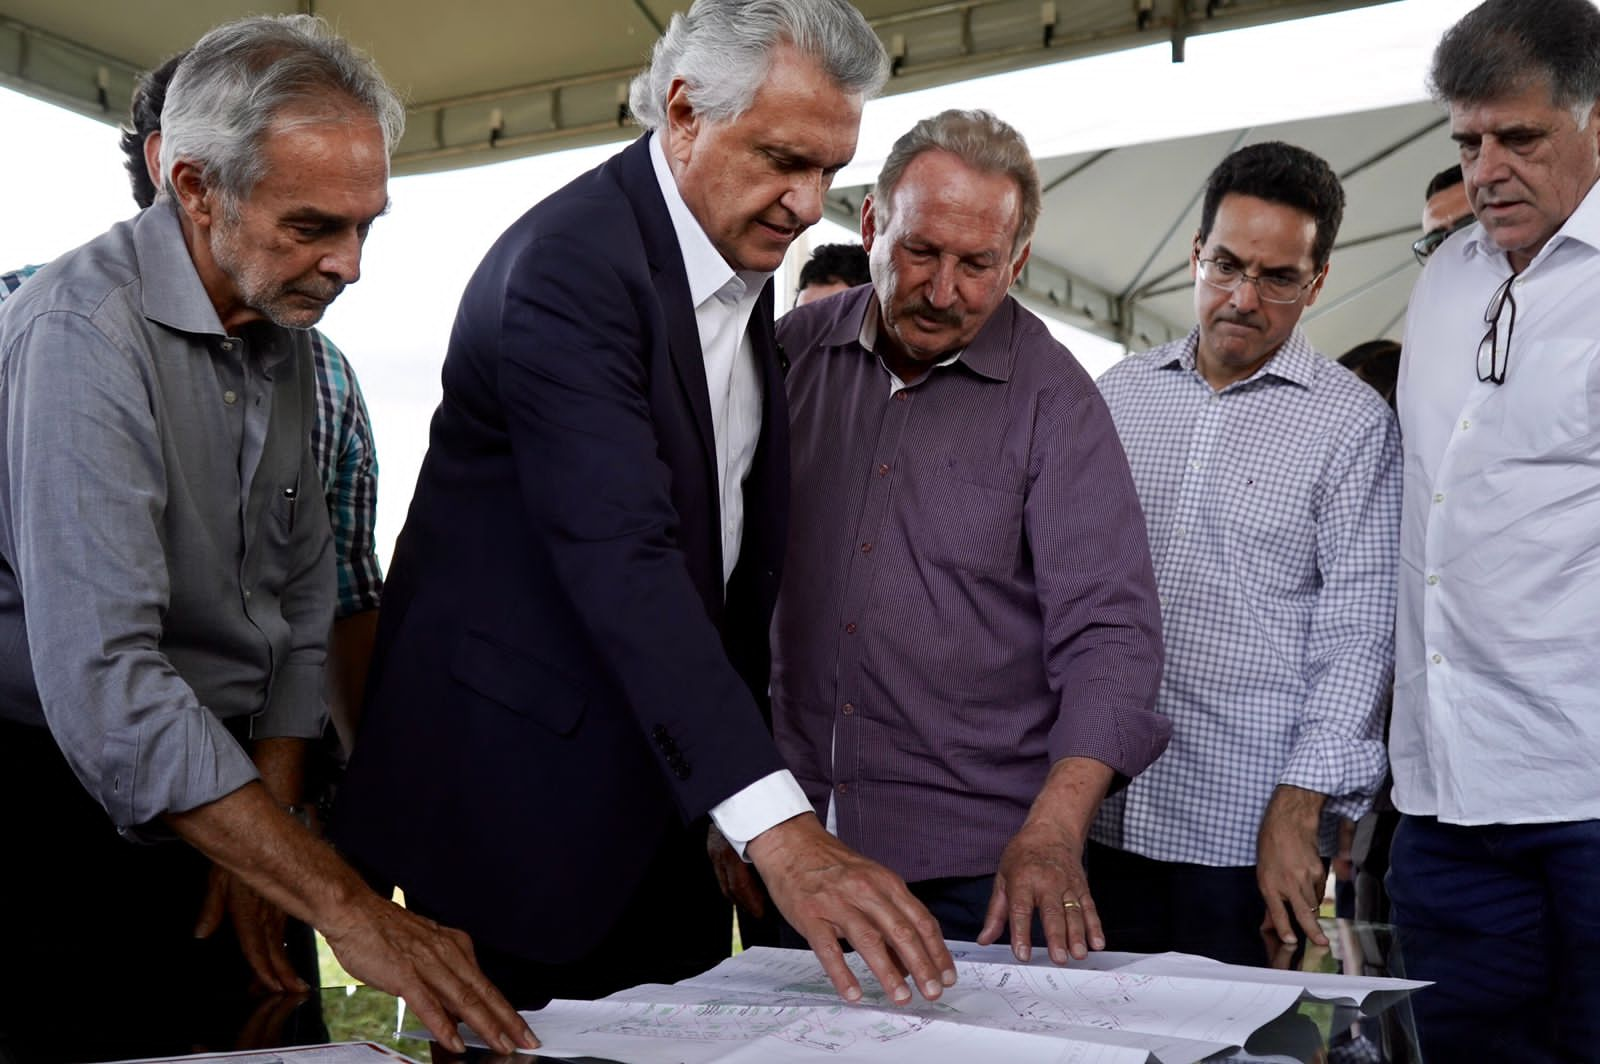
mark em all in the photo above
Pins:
pixel 724 302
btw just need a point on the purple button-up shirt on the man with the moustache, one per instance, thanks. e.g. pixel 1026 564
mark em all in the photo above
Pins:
pixel 967 596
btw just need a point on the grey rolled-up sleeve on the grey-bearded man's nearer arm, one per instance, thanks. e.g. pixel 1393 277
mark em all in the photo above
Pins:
pixel 86 487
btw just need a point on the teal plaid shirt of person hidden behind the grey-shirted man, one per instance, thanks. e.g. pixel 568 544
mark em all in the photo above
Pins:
pixel 346 458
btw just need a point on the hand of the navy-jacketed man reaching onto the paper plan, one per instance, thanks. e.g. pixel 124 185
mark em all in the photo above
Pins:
pixel 828 892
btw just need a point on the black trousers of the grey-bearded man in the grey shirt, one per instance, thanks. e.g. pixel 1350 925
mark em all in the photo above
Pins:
pixel 100 958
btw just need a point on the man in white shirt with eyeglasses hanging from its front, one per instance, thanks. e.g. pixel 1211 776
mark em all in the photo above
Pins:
pixel 1495 742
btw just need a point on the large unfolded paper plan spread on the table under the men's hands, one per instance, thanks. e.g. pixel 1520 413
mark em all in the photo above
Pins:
pixel 777 1006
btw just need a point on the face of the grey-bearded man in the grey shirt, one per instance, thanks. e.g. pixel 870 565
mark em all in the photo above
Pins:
pixel 289 249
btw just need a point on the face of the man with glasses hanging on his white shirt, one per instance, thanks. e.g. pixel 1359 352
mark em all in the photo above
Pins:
pixel 1527 166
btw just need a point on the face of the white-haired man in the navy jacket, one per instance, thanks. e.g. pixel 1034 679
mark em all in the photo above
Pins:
pixel 756 183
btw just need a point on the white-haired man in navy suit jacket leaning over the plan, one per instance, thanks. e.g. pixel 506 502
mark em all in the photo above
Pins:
pixel 574 644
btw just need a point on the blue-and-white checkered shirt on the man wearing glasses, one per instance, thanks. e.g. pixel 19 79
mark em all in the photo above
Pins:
pixel 1274 513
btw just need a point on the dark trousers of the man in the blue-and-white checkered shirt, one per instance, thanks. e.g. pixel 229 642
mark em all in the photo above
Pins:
pixel 1156 906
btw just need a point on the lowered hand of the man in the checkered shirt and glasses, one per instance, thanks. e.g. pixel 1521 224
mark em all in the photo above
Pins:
pixel 1289 868
